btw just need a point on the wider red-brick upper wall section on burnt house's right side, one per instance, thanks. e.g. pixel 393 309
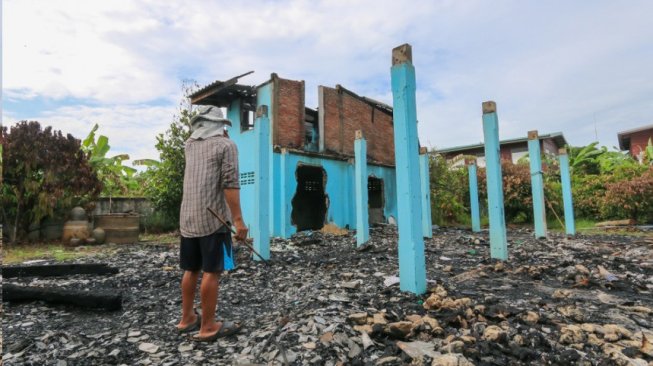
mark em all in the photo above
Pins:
pixel 345 113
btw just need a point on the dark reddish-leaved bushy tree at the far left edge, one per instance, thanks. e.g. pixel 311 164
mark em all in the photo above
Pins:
pixel 44 172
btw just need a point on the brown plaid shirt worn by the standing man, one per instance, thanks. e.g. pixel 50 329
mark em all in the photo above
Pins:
pixel 211 166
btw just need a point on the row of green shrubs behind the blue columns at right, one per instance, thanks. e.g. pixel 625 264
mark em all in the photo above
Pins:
pixel 605 185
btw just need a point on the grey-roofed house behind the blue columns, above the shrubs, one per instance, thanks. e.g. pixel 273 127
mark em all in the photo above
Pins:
pixel 511 150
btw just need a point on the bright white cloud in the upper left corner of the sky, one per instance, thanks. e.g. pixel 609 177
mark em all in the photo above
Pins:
pixel 64 48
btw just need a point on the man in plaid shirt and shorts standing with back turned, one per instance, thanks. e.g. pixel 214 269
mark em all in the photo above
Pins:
pixel 211 179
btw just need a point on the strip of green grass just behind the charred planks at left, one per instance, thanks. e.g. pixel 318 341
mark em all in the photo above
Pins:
pixel 57 252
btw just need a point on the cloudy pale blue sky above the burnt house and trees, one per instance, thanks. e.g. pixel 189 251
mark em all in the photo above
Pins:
pixel 583 68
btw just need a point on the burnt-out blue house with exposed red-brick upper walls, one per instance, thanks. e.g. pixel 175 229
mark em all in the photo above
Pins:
pixel 312 168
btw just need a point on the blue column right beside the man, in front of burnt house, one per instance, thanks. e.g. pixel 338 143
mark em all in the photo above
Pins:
pixel 262 159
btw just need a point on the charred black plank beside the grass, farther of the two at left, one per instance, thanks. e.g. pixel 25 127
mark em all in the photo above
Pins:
pixel 52 270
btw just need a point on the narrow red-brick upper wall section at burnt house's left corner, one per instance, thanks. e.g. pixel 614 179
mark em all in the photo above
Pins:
pixel 288 129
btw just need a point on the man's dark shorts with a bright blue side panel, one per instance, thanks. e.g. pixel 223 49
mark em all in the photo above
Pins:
pixel 212 253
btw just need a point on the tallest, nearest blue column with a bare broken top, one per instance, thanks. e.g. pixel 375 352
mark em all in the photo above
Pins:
pixel 412 271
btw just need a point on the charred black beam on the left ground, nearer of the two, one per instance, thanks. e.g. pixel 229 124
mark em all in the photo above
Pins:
pixel 85 299
